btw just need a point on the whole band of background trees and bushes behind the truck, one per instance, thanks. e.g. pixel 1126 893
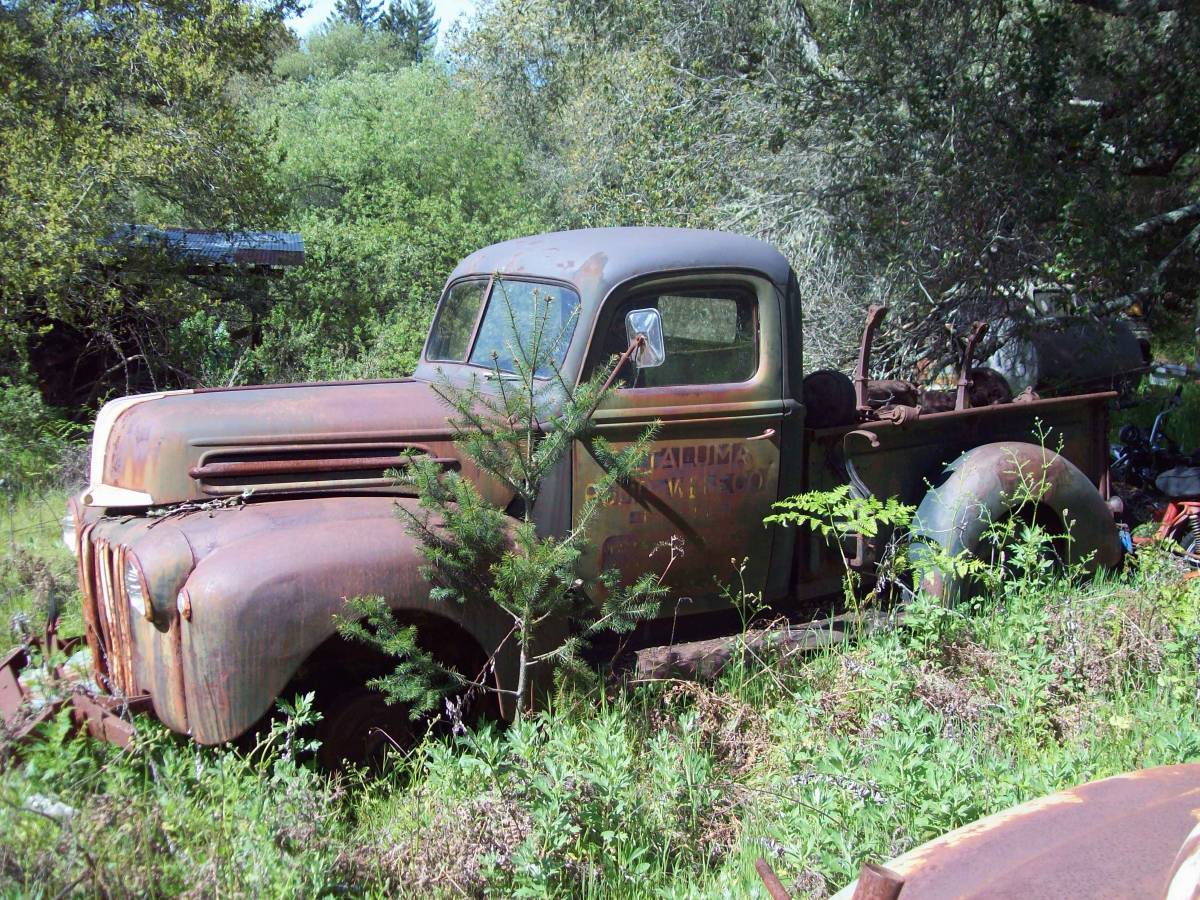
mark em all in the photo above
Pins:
pixel 943 158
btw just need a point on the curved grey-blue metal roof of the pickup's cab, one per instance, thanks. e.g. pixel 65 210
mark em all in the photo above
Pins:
pixel 597 260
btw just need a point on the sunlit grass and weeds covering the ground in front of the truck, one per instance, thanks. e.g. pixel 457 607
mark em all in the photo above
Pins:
pixel 818 763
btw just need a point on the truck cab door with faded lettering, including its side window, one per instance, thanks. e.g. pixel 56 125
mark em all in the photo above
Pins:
pixel 713 472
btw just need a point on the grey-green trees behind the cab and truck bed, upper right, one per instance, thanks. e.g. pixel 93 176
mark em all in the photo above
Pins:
pixel 937 155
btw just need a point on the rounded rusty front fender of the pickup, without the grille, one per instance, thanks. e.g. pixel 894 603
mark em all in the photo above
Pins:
pixel 262 604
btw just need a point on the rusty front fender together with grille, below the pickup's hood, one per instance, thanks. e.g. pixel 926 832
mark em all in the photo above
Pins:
pixel 263 583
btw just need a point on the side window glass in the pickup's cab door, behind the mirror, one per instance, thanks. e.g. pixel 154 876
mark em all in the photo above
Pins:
pixel 711 337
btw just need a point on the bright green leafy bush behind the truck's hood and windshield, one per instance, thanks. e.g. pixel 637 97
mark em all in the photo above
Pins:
pixel 393 178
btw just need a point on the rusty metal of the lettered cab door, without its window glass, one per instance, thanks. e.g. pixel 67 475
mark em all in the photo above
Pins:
pixel 712 476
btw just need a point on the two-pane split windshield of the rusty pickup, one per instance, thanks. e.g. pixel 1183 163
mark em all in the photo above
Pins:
pixel 519 316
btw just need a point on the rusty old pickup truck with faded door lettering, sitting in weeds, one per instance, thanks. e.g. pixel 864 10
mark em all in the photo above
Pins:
pixel 225 529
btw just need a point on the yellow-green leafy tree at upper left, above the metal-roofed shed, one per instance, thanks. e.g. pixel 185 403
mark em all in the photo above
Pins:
pixel 116 113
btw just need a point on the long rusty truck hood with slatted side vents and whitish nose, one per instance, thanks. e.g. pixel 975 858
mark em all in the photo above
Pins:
pixel 159 449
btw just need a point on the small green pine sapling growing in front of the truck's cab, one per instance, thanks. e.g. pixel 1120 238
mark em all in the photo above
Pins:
pixel 517 424
